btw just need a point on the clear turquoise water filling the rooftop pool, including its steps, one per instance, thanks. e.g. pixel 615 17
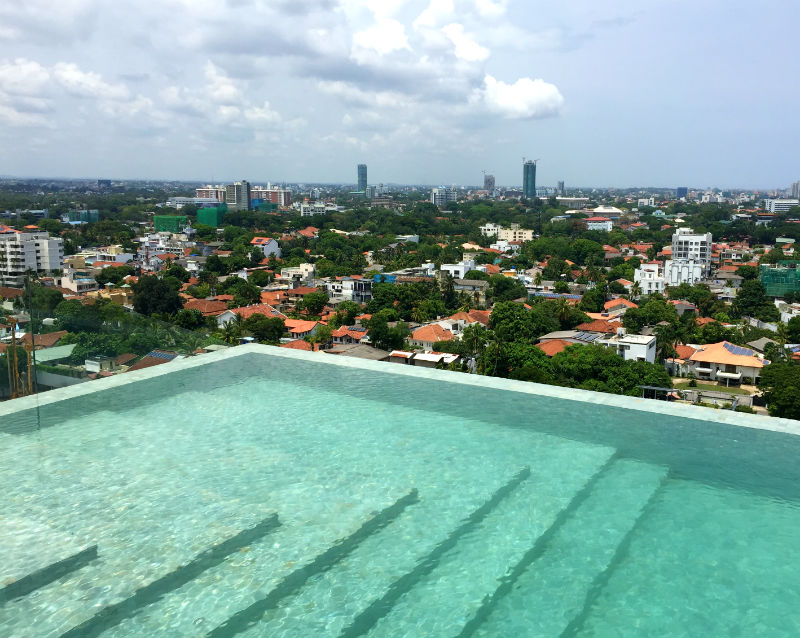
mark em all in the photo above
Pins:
pixel 264 495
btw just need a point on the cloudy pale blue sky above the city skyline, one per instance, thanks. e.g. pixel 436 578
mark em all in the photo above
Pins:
pixel 620 93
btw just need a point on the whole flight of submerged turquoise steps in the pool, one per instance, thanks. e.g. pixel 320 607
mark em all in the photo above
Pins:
pixel 529 559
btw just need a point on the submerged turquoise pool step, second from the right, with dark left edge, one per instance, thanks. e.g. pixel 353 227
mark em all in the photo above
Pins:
pixel 450 585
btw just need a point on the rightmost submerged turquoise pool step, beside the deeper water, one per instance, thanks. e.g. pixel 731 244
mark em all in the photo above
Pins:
pixel 551 586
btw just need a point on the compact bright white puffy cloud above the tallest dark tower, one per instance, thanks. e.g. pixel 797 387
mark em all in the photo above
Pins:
pixel 525 99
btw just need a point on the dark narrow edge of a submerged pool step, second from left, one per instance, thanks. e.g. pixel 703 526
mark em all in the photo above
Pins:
pixel 112 615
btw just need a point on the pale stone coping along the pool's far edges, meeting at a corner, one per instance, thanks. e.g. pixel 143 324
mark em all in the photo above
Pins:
pixel 698 413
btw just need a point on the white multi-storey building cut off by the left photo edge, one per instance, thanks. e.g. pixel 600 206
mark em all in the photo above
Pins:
pixel 23 251
